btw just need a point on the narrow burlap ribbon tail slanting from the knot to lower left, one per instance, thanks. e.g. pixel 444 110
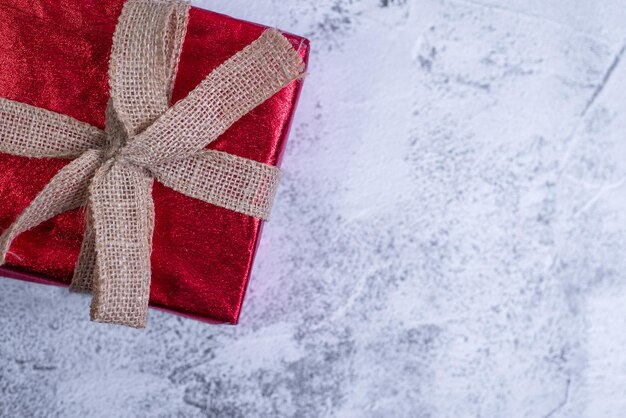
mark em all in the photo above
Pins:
pixel 66 191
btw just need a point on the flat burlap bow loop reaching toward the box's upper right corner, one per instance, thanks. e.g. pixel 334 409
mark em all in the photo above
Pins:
pixel 228 93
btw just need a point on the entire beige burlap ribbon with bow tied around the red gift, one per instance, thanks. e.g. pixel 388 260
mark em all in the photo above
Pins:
pixel 112 171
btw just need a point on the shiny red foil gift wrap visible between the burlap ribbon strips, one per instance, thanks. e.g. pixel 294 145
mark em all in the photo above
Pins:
pixel 54 55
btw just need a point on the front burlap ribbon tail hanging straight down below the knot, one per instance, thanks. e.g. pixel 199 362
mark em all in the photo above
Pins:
pixel 122 212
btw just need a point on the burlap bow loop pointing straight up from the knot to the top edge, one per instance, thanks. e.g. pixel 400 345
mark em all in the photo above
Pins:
pixel 144 58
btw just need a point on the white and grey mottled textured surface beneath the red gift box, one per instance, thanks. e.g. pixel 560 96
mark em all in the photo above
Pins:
pixel 448 240
